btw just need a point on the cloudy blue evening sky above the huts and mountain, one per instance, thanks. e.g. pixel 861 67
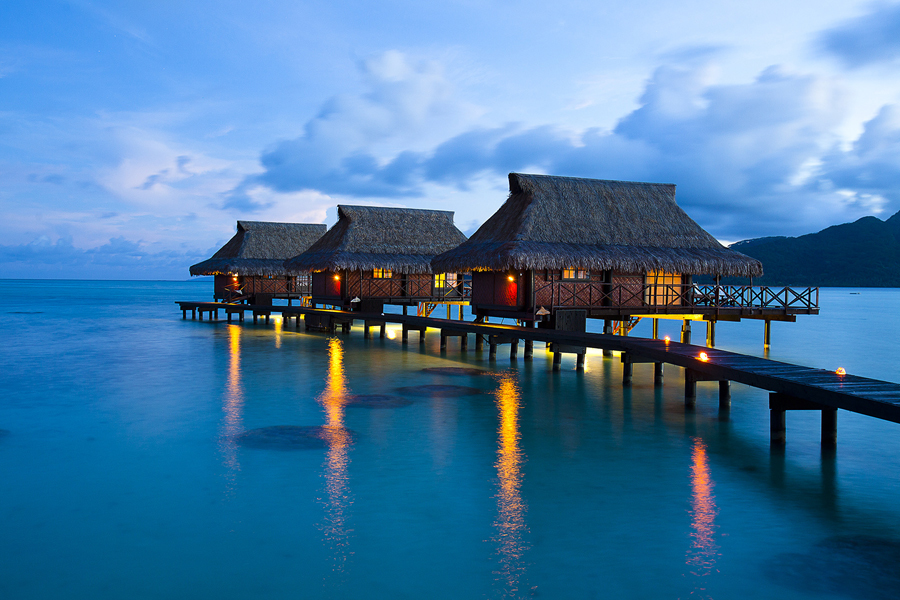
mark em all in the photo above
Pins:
pixel 134 135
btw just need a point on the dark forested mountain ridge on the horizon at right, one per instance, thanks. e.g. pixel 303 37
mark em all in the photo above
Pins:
pixel 865 253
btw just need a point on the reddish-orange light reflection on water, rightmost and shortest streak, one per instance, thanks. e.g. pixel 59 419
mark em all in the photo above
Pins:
pixel 701 557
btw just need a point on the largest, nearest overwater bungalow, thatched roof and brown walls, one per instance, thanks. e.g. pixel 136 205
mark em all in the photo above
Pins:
pixel 609 249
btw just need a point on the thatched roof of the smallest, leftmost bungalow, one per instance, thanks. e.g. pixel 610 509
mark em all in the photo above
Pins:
pixel 260 248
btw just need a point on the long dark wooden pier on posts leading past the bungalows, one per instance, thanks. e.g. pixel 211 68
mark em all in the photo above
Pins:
pixel 791 387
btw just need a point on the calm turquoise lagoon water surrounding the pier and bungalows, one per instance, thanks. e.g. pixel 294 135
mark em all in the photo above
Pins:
pixel 125 474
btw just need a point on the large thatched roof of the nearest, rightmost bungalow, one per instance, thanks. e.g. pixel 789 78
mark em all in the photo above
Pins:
pixel 553 222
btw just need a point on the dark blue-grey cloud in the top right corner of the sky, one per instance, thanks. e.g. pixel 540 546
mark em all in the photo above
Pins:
pixel 869 39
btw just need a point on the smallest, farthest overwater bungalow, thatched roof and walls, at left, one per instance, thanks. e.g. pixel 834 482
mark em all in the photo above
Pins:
pixel 251 265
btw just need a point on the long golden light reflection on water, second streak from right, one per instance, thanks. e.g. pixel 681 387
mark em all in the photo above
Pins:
pixel 510 527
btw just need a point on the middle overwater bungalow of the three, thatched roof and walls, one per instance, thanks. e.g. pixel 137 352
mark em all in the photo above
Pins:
pixel 381 256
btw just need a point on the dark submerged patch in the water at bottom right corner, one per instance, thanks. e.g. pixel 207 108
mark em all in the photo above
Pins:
pixel 861 567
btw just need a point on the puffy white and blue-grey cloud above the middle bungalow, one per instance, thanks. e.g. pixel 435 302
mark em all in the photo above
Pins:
pixel 365 145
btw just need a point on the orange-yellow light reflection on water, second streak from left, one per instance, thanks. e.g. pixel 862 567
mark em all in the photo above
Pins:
pixel 333 400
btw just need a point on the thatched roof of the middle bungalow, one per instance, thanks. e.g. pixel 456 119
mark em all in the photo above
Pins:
pixel 375 237
